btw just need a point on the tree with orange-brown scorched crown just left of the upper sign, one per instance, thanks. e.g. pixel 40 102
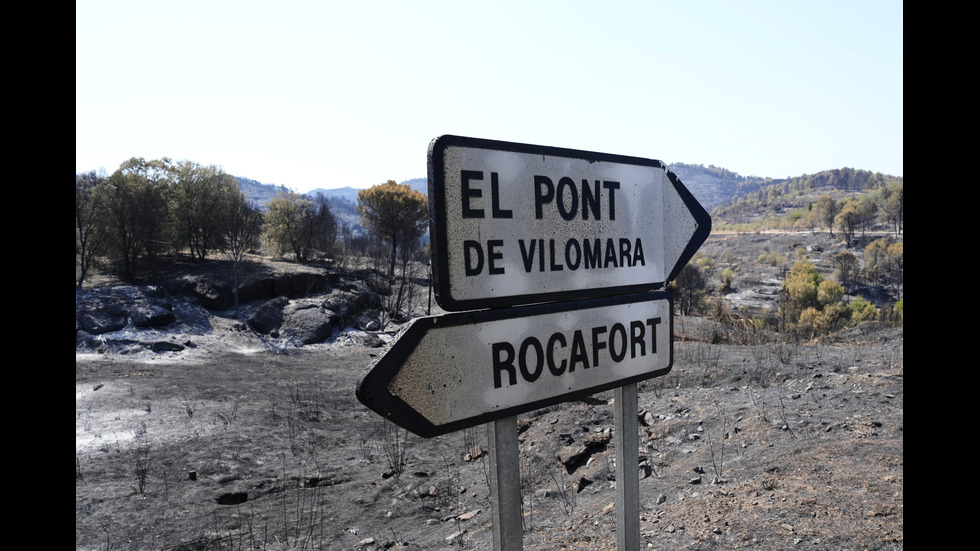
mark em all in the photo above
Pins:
pixel 395 213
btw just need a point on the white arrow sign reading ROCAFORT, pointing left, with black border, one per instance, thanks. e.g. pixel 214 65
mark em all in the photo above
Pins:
pixel 446 373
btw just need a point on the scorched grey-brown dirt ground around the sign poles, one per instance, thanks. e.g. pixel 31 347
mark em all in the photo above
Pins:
pixel 752 441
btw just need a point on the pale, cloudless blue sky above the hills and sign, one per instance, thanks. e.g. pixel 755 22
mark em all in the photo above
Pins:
pixel 325 94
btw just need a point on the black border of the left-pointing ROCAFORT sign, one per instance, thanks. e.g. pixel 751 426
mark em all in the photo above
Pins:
pixel 372 385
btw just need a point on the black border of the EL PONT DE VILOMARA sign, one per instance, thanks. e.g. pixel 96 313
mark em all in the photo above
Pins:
pixel 438 221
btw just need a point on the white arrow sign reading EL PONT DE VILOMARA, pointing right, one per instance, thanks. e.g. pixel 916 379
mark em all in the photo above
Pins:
pixel 517 224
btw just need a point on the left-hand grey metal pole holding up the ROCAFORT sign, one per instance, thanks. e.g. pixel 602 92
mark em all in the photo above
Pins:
pixel 505 484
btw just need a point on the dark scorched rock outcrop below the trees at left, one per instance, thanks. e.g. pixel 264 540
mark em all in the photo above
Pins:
pixel 299 308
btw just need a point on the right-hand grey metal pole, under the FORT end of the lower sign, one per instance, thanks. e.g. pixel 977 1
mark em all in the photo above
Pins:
pixel 627 469
